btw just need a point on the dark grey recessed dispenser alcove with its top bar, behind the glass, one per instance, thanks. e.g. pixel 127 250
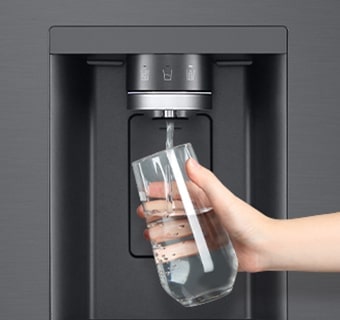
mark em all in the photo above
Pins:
pixel 99 259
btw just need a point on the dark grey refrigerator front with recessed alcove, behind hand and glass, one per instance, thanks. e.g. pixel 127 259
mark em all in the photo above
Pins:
pixel 67 140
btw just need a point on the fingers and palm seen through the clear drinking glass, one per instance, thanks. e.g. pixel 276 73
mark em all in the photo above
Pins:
pixel 168 227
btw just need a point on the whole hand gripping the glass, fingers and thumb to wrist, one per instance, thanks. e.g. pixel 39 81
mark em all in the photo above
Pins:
pixel 246 226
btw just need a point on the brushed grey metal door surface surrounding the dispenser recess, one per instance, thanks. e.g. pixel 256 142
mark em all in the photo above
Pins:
pixel 313 130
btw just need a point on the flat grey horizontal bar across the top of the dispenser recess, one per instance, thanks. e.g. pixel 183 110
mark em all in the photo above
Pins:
pixel 270 38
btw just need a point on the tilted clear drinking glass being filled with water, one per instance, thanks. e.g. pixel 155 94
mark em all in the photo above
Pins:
pixel 195 259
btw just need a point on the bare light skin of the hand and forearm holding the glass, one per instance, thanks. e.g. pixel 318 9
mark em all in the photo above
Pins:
pixel 262 243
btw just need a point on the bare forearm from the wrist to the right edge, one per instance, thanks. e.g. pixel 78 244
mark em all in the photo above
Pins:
pixel 304 244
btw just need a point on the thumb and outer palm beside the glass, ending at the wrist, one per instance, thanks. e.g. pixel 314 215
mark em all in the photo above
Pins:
pixel 248 229
